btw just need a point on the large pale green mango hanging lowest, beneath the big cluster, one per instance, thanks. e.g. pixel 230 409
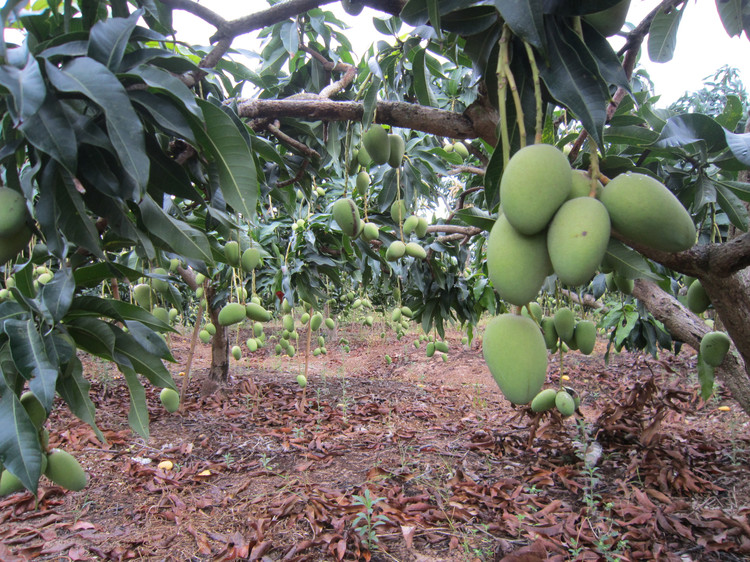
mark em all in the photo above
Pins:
pixel 515 353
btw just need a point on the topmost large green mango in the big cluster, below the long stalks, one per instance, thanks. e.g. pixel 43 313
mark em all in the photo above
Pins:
pixel 535 183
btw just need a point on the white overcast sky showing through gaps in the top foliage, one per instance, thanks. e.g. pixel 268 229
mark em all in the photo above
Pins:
pixel 703 45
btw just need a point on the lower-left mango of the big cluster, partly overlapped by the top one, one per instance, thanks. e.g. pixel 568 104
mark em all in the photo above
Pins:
pixel 517 264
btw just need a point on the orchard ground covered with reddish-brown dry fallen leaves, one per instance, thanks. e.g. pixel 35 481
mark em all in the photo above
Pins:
pixel 450 470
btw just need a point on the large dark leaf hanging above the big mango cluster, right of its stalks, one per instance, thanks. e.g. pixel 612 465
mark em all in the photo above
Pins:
pixel 572 77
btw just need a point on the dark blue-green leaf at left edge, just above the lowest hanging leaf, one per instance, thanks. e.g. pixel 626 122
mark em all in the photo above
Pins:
pixel 31 359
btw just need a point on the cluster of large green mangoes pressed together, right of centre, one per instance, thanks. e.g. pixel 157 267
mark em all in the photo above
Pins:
pixel 553 220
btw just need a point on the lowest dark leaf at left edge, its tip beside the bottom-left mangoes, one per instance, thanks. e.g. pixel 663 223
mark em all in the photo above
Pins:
pixel 20 451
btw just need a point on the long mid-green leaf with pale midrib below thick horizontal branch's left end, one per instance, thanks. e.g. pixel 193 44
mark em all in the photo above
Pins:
pixel 231 153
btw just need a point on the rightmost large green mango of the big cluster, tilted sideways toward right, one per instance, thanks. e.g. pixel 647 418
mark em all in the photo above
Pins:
pixel 644 211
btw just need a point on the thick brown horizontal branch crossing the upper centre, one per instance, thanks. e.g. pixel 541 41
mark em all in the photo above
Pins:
pixel 399 114
